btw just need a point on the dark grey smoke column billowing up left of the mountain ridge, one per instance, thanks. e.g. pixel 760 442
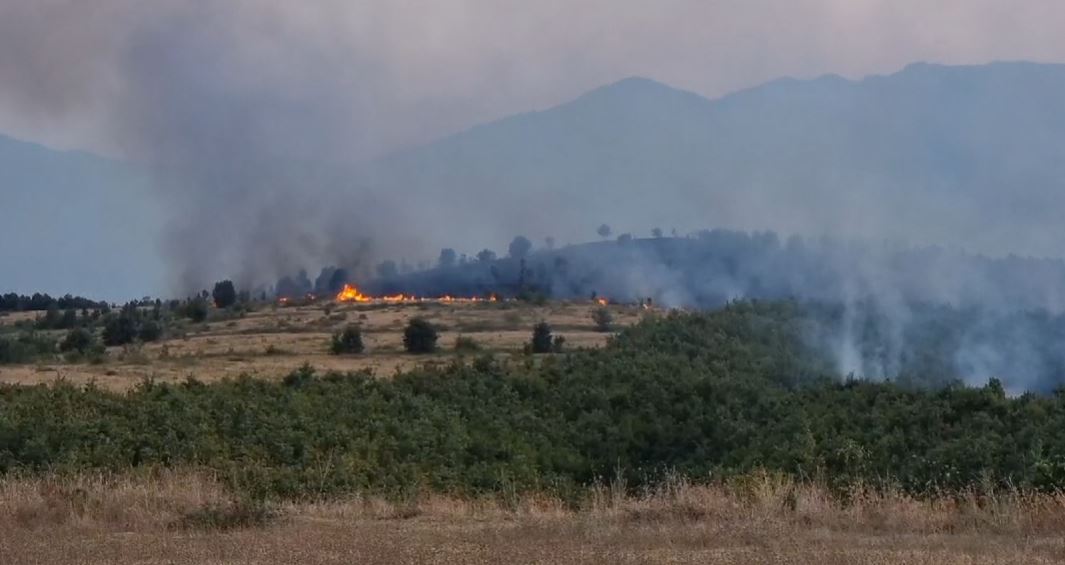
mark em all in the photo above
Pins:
pixel 249 120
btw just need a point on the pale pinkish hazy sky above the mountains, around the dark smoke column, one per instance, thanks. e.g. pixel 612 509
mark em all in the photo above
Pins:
pixel 401 72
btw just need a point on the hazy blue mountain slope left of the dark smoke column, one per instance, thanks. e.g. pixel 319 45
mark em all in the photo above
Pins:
pixel 75 223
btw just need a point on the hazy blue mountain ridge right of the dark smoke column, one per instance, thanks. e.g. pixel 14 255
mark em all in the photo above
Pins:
pixel 954 156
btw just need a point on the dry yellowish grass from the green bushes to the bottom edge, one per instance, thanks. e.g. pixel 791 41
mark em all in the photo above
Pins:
pixel 100 520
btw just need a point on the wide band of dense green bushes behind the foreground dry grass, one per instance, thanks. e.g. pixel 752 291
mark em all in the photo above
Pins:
pixel 706 396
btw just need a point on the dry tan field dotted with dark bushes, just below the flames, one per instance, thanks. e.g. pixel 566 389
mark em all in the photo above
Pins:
pixel 274 341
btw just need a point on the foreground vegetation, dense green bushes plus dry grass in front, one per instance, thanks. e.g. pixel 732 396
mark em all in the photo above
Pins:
pixel 698 424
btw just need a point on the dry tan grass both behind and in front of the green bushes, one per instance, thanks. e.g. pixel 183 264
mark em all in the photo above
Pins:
pixel 186 517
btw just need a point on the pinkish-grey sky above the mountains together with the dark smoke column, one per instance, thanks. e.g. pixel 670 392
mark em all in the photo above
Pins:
pixel 245 114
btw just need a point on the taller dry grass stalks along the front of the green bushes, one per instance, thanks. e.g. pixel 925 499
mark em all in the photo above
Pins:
pixel 162 501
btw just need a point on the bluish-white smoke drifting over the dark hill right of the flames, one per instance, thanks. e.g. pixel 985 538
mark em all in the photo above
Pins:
pixel 923 315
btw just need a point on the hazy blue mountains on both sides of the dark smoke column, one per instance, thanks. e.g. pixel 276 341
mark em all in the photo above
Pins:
pixel 956 156
